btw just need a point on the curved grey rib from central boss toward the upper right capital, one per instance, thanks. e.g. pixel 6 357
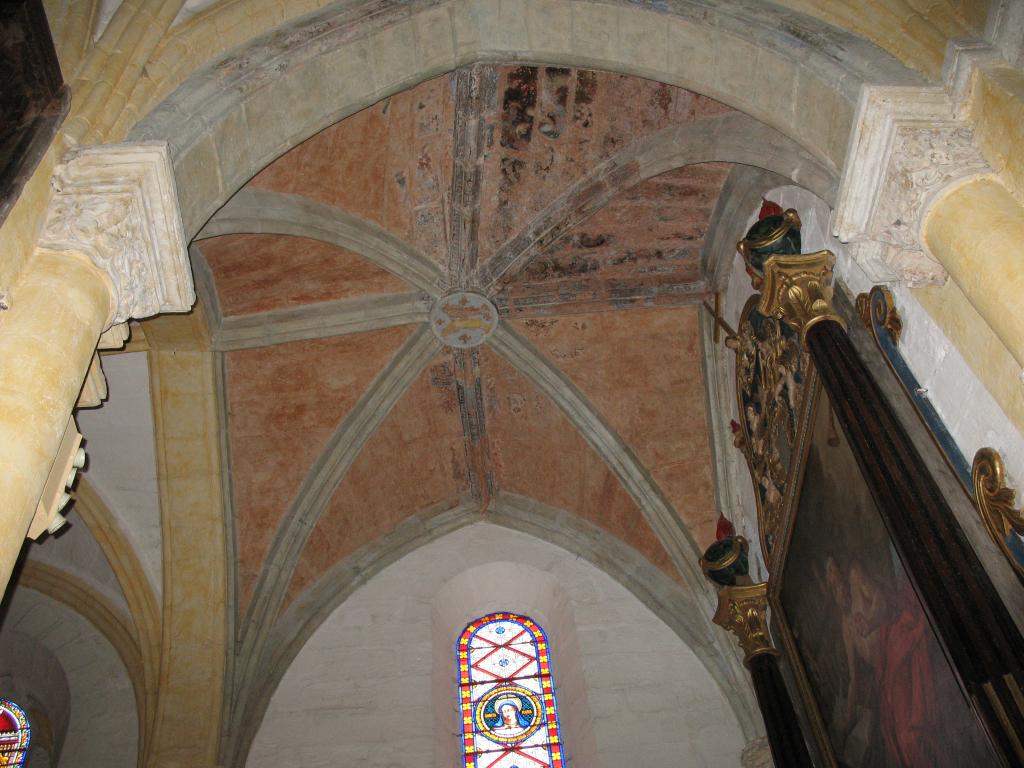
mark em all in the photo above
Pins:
pixel 731 139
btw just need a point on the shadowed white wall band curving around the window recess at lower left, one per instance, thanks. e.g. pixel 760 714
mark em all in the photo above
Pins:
pixel 103 730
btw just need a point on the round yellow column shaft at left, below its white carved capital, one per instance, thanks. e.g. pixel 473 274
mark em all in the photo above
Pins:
pixel 48 339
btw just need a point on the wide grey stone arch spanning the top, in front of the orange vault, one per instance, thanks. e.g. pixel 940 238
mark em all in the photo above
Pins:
pixel 238 114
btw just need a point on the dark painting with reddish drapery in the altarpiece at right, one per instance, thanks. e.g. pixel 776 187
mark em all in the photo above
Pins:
pixel 885 692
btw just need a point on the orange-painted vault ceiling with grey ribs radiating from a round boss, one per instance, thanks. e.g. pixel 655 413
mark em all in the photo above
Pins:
pixel 347 415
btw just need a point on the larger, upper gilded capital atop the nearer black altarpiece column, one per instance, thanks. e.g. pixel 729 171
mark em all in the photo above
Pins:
pixel 797 289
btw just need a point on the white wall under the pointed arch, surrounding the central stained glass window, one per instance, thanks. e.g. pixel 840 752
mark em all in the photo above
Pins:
pixel 376 685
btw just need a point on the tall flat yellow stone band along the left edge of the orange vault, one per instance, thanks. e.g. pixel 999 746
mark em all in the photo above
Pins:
pixel 195 548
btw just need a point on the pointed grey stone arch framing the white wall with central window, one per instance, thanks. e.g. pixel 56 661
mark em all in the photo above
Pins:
pixel 668 601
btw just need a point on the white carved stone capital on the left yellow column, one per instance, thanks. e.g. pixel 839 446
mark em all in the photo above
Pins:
pixel 117 204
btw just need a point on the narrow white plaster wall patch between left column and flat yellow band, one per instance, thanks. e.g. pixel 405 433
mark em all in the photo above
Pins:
pixel 122 460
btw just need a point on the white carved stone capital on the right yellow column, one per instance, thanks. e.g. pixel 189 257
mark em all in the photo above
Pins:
pixel 909 146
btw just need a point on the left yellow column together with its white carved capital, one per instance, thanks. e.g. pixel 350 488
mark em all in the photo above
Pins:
pixel 112 248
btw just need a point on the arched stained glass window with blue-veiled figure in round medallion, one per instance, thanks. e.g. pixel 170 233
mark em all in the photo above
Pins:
pixel 507 696
